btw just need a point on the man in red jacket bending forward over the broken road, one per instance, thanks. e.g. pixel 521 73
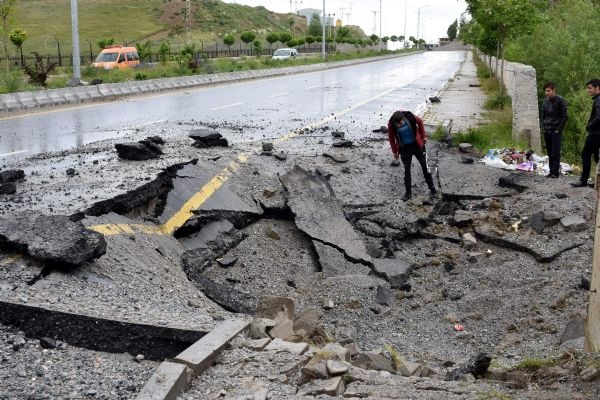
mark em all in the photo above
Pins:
pixel 406 133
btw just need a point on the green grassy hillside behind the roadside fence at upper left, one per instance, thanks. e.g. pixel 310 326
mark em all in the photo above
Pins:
pixel 135 20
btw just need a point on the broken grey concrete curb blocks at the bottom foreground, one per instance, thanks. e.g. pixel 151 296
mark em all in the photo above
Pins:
pixel 173 378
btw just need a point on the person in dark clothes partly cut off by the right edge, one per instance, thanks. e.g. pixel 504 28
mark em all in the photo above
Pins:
pixel 592 141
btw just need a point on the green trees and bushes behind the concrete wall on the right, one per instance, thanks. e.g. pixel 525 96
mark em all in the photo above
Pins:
pixel 558 38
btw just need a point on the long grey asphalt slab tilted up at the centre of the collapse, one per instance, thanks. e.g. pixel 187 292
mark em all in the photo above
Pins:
pixel 320 215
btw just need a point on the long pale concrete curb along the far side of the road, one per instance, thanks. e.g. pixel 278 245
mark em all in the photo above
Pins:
pixel 13 102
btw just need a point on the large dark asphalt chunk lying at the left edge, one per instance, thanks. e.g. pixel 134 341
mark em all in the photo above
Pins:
pixel 51 238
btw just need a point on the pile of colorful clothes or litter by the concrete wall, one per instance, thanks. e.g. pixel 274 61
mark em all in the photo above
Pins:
pixel 512 159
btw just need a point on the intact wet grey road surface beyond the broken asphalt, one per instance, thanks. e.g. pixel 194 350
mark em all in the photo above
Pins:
pixel 371 91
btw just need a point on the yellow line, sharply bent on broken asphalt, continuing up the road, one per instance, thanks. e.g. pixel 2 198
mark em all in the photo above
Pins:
pixel 197 200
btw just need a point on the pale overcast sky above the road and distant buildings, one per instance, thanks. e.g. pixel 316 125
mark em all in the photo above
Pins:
pixel 436 15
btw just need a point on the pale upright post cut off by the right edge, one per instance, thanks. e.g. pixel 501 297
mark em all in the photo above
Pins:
pixel 592 323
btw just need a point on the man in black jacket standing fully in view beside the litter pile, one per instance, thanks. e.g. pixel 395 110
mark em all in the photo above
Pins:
pixel 554 118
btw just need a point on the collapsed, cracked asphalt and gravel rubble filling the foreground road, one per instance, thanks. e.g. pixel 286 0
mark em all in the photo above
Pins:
pixel 198 234
